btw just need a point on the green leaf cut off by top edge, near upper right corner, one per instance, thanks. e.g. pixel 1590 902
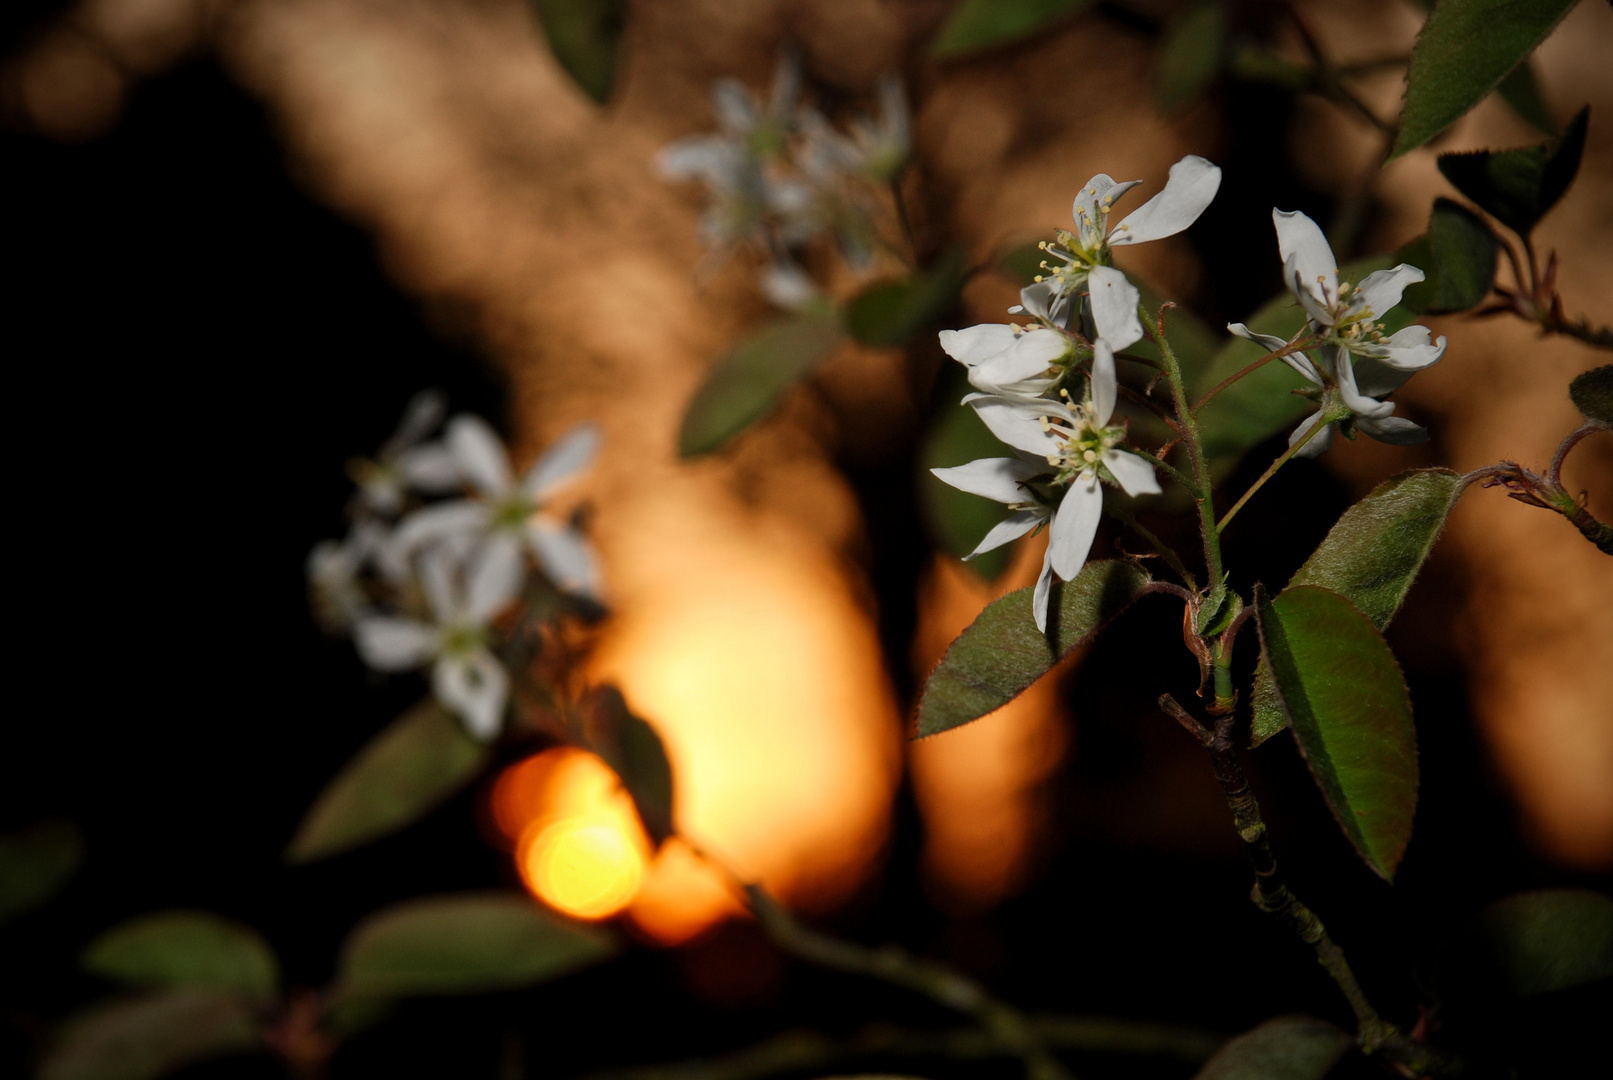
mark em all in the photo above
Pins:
pixel 1467 48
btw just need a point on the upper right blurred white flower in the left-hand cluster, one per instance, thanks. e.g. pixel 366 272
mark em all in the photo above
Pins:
pixel 509 517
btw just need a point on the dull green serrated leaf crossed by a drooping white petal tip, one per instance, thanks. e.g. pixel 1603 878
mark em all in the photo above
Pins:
pixel 1002 654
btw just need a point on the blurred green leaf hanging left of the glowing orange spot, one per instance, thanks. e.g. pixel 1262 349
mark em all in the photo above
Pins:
pixel 399 778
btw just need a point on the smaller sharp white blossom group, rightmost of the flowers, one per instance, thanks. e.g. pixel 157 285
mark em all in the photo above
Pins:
pixel 1353 365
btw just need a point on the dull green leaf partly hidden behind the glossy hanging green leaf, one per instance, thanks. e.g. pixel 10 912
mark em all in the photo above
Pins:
pixel 1370 557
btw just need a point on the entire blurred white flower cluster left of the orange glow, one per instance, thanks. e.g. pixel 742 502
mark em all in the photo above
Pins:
pixel 425 583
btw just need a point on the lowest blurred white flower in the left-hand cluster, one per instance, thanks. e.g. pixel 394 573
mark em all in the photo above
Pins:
pixel 465 675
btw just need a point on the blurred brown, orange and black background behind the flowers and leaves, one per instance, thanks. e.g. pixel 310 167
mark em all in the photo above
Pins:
pixel 243 235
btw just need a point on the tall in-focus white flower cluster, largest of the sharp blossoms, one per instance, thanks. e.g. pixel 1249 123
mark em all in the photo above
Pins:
pixel 1083 312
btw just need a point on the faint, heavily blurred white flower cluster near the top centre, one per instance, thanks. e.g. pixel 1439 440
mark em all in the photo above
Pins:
pixel 780 177
